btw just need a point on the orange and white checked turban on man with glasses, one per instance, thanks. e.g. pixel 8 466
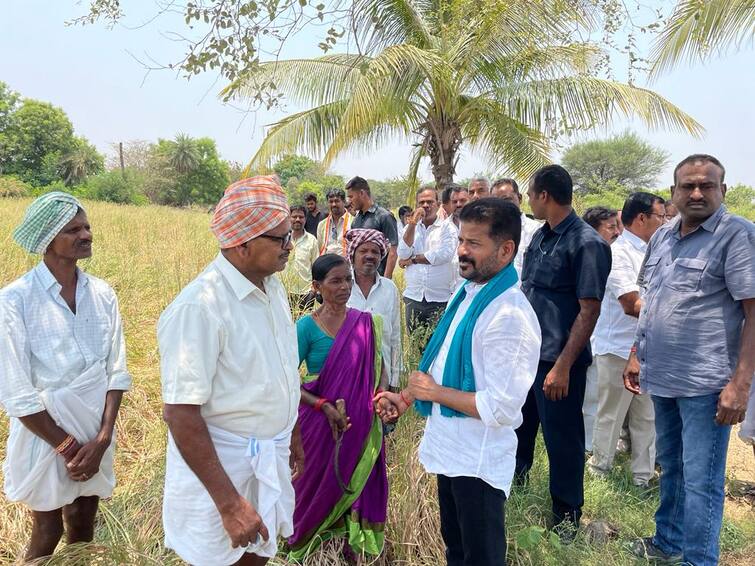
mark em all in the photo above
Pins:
pixel 249 207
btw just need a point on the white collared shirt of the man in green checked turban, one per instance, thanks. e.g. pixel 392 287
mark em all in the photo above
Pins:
pixel 44 345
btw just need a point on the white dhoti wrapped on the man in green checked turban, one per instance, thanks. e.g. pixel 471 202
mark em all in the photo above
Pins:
pixel 34 473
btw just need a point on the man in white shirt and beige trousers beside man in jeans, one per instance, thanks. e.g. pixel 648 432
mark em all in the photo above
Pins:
pixel 642 214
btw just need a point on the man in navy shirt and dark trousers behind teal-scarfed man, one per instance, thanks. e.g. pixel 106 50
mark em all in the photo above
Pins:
pixel 564 277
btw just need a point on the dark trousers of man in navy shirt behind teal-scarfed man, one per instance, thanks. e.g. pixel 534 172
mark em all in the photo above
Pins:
pixel 564 436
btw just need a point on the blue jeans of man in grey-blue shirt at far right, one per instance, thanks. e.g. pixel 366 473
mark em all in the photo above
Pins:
pixel 691 450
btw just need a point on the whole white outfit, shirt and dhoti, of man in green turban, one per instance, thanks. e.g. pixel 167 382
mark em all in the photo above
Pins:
pixel 52 359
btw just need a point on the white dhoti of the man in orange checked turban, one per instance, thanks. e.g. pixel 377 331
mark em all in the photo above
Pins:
pixel 259 469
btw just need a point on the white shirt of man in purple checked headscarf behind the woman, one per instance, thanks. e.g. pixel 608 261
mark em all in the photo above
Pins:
pixel 383 300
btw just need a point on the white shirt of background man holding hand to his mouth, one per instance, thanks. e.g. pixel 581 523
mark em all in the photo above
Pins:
pixel 438 243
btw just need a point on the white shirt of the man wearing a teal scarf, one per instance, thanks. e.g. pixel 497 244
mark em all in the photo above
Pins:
pixel 505 354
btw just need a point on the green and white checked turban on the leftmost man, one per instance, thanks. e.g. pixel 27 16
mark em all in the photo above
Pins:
pixel 44 219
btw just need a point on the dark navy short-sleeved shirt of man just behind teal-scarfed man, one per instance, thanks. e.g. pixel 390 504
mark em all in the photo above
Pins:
pixel 561 266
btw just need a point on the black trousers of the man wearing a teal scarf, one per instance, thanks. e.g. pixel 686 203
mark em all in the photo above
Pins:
pixel 472 522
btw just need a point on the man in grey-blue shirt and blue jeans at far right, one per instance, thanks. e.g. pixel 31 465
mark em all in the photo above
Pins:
pixel 694 355
